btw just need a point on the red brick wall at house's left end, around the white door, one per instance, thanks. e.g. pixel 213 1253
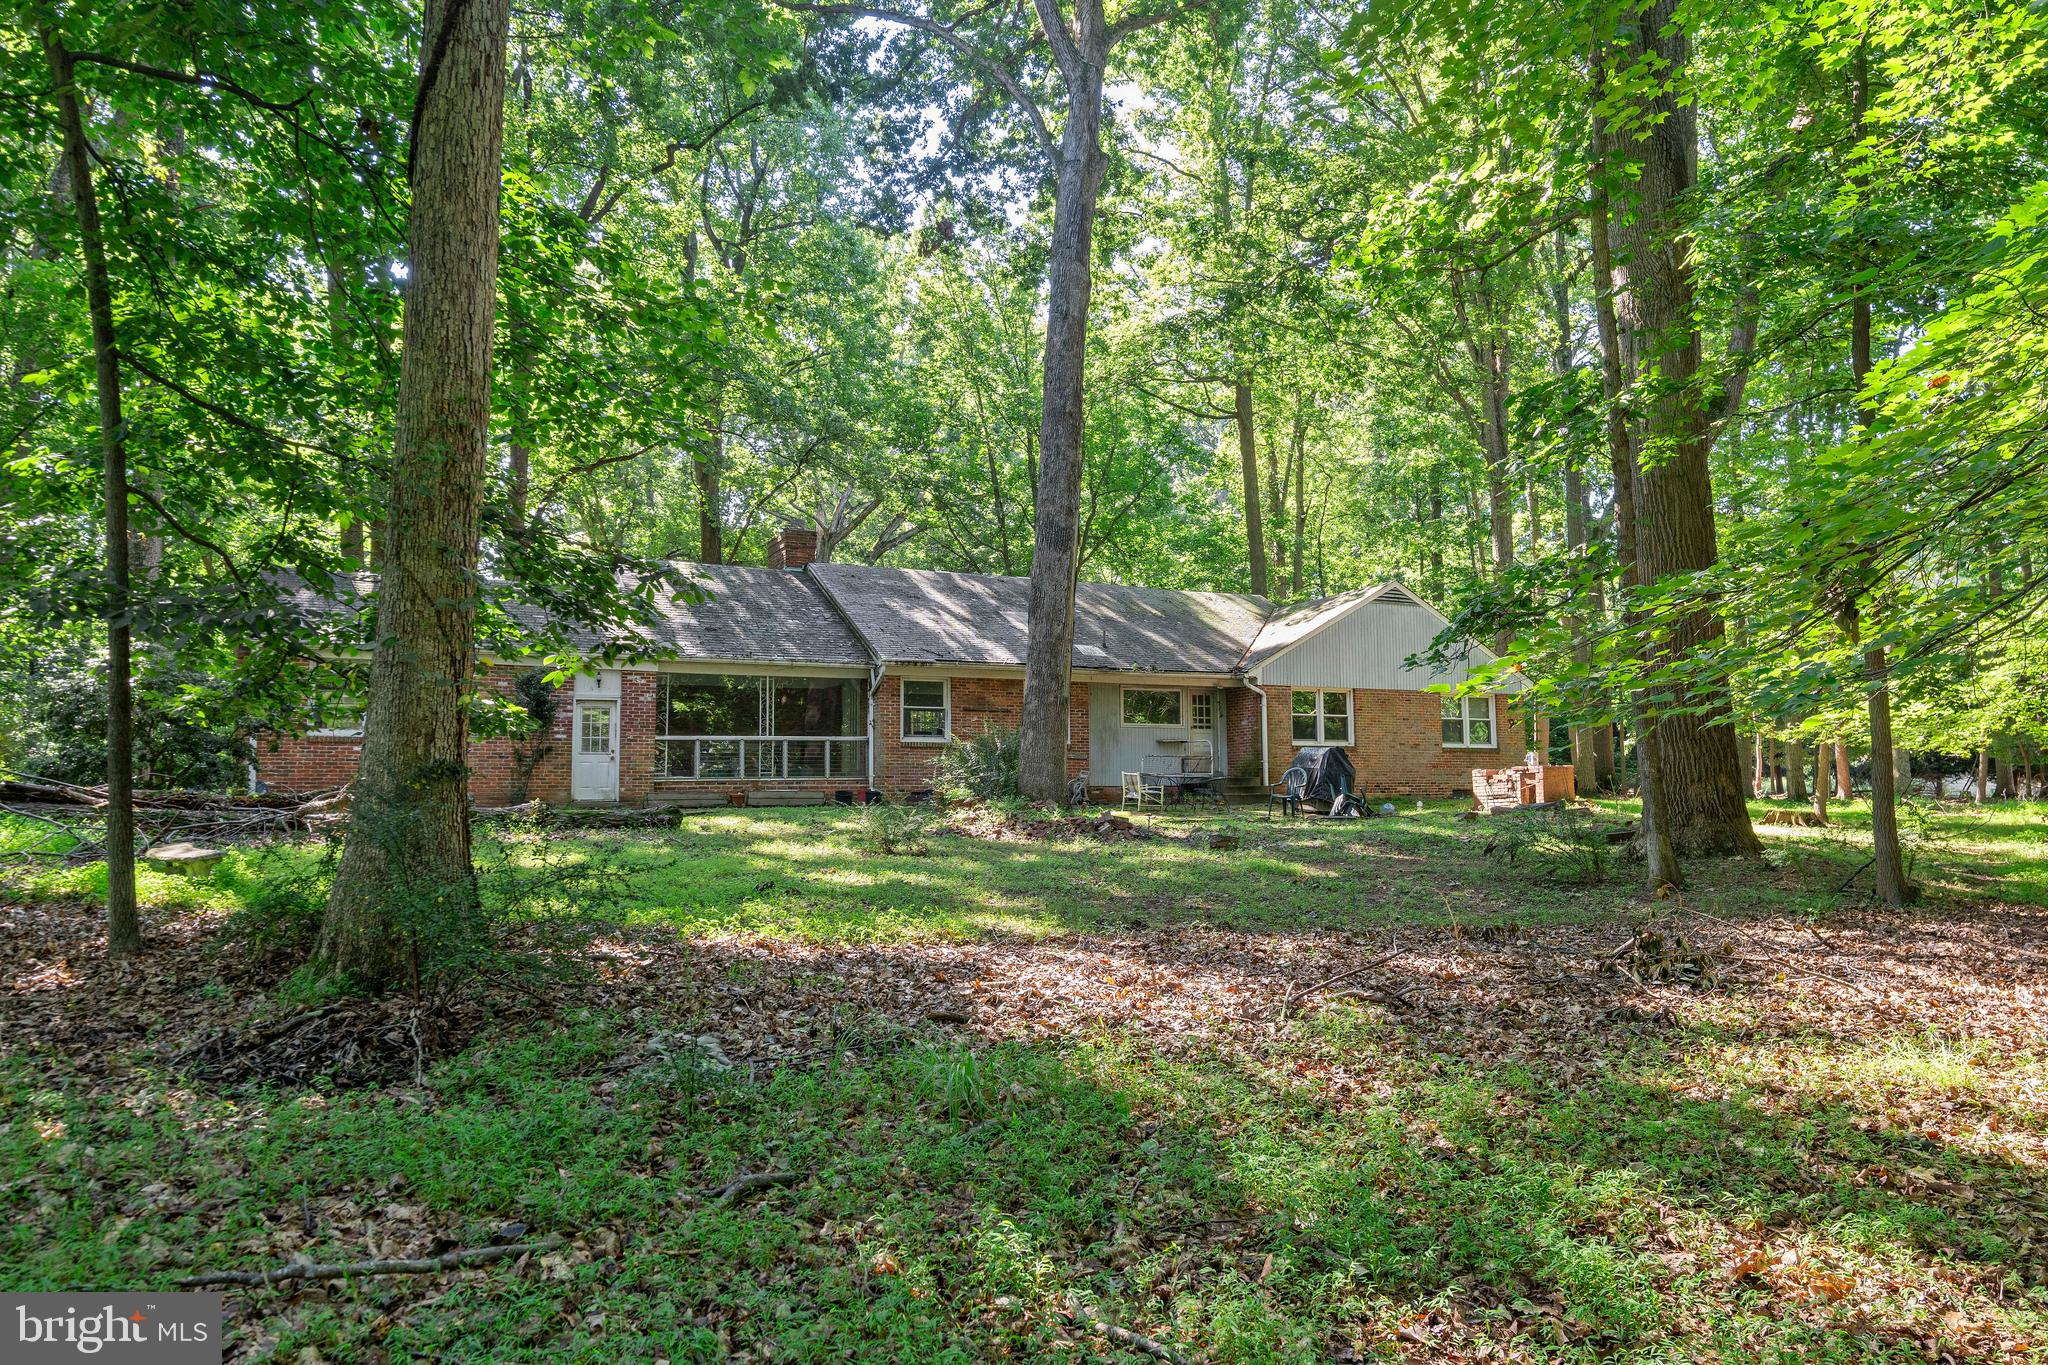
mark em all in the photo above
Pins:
pixel 501 770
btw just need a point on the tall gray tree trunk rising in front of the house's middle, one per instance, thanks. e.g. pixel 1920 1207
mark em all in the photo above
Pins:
pixel 1050 658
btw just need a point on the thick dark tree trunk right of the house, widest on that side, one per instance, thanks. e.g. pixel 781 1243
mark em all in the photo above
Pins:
pixel 1699 770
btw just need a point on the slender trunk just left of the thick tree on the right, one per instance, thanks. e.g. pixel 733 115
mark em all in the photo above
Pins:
pixel 1662 867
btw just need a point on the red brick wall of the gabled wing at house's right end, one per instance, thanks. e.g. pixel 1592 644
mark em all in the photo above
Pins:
pixel 1398 742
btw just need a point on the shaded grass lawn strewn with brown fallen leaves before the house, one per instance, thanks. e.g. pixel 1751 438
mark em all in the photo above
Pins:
pixel 1342 1092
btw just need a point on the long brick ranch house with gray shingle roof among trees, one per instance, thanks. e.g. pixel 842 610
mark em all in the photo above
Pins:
pixel 820 678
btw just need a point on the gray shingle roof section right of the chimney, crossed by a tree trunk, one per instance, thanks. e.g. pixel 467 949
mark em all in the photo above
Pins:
pixel 929 617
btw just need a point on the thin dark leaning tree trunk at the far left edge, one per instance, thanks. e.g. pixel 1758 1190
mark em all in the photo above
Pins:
pixel 124 926
